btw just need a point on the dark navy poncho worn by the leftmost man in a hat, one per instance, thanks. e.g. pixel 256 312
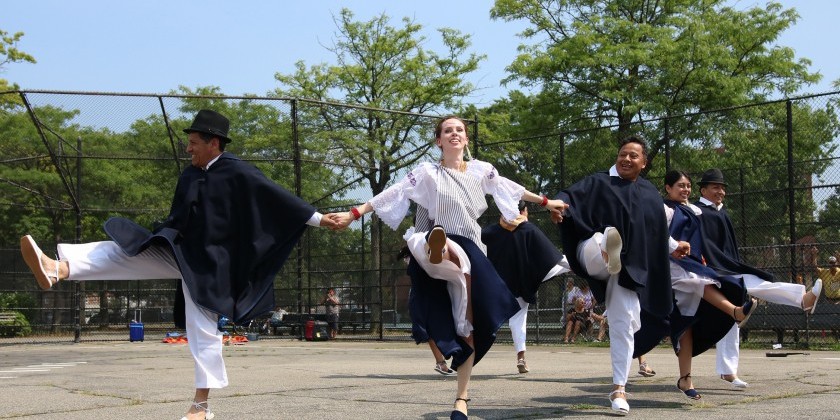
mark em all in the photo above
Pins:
pixel 230 229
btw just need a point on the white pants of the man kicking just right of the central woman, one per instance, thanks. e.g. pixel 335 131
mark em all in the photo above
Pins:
pixel 622 304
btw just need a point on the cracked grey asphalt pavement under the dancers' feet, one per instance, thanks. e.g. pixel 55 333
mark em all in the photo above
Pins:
pixel 291 379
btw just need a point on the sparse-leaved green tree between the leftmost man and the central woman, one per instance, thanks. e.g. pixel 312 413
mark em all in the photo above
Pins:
pixel 380 67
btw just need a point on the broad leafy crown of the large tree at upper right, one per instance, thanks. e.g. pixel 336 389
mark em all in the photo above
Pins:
pixel 625 61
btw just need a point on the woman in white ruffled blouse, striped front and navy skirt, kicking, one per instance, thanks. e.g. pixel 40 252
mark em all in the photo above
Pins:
pixel 459 300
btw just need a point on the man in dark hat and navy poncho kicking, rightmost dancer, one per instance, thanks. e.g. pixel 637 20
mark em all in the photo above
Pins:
pixel 720 248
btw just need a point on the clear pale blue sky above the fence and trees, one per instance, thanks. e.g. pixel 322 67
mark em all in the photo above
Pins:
pixel 155 46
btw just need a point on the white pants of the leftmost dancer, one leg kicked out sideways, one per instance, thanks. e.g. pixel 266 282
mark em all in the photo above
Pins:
pixel 106 261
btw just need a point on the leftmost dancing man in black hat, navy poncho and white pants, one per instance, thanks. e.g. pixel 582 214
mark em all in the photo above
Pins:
pixel 228 233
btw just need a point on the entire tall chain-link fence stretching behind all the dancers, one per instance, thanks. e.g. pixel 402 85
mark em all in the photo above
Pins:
pixel 71 160
